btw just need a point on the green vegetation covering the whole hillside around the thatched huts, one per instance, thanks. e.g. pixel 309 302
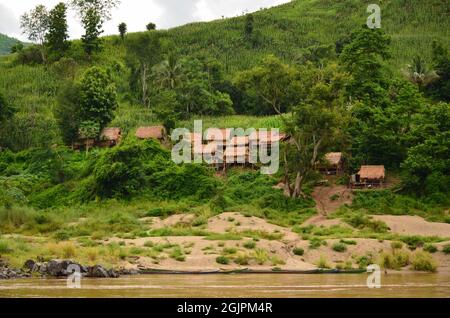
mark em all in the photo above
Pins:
pixel 311 68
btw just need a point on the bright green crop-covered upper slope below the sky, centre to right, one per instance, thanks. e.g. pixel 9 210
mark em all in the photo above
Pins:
pixel 289 29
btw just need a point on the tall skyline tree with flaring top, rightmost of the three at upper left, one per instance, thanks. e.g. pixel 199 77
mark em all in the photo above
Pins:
pixel 93 14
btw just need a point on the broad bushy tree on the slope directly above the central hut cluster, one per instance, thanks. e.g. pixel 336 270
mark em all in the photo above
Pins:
pixel 273 83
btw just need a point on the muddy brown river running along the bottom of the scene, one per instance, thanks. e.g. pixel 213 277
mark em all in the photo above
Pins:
pixel 238 285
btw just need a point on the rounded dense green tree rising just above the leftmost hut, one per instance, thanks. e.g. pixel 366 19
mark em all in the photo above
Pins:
pixel 98 97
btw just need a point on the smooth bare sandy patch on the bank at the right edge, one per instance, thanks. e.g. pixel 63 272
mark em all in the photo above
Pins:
pixel 414 225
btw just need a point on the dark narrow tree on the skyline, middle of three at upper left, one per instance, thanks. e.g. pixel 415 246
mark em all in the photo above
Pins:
pixel 56 38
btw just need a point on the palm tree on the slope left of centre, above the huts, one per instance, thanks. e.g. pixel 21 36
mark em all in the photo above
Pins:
pixel 168 74
